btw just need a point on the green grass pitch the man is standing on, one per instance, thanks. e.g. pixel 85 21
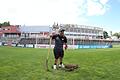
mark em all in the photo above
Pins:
pixel 29 64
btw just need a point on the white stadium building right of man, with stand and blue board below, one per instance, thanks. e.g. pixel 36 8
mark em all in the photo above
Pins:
pixel 82 36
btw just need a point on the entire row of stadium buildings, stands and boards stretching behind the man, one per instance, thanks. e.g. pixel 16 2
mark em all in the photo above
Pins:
pixel 79 36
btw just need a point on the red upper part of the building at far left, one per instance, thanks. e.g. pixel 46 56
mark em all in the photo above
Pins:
pixel 10 29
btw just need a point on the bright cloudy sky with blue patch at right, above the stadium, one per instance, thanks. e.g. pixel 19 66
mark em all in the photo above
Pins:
pixel 101 13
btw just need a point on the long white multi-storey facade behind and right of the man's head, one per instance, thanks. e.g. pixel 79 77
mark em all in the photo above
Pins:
pixel 80 31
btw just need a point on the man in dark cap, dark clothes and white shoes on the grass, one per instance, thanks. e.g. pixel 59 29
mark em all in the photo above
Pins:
pixel 60 40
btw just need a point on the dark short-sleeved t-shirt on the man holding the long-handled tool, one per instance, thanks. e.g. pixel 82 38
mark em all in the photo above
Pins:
pixel 59 41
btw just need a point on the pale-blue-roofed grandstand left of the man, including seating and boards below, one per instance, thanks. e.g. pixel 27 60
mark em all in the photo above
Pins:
pixel 34 36
